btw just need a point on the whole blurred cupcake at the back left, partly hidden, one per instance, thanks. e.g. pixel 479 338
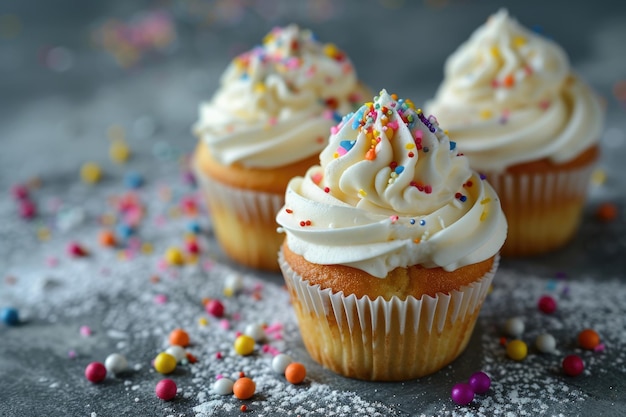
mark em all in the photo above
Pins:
pixel 266 123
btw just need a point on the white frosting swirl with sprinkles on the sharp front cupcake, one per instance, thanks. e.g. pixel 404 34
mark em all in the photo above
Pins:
pixel 391 191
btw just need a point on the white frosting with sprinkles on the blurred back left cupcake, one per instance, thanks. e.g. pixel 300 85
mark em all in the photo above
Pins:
pixel 276 103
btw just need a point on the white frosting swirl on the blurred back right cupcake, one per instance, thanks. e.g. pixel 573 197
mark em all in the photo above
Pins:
pixel 509 96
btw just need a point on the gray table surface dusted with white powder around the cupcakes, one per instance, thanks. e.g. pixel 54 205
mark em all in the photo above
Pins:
pixel 60 93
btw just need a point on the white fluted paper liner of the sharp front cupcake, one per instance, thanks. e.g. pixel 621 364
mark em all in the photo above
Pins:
pixel 382 339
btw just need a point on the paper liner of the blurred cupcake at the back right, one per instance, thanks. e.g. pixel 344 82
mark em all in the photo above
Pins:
pixel 543 210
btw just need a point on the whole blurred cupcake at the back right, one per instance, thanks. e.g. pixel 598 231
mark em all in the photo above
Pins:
pixel 513 105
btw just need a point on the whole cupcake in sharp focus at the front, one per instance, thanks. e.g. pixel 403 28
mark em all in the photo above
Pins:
pixel 391 245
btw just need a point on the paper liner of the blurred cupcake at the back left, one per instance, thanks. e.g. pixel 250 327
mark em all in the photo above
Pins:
pixel 244 222
